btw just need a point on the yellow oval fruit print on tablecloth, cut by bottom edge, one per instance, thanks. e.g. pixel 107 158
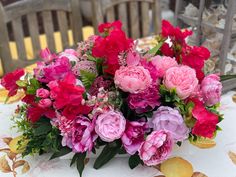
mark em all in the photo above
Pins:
pixel 176 167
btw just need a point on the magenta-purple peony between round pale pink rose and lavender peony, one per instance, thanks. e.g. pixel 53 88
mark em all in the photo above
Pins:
pixel 133 136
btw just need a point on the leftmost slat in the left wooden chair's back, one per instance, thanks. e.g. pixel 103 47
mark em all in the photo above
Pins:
pixel 19 37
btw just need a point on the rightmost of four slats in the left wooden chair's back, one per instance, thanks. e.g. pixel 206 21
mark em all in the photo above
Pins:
pixel 63 27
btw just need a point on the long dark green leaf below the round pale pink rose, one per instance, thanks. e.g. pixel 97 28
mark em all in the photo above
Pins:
pixel 108 152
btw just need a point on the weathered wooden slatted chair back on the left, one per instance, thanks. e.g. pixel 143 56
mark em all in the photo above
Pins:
pixel 68 16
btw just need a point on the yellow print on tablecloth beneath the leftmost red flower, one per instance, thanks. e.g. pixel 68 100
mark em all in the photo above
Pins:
pixel 16 98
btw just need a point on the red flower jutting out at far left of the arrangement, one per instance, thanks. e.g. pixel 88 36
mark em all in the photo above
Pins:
pixel 9 81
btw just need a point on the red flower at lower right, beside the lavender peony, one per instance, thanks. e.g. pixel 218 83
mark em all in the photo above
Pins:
pixel 206 120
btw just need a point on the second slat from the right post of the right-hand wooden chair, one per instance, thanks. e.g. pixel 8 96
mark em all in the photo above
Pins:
pixel 134 20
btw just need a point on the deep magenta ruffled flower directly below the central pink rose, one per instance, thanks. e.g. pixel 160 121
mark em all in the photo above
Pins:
pixel 145 100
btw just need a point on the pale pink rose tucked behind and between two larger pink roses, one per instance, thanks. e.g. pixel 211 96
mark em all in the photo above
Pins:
pixel 163 63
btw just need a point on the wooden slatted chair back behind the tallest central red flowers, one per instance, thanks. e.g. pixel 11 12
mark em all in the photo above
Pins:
pixel 134 15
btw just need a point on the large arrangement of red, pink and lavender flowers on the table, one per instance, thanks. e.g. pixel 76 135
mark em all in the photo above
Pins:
pixel 107 95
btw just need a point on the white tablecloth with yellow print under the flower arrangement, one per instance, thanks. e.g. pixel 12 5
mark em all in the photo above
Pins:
pixel 213 162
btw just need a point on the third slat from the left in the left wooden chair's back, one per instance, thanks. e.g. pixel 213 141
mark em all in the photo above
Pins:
pixel 48 28
